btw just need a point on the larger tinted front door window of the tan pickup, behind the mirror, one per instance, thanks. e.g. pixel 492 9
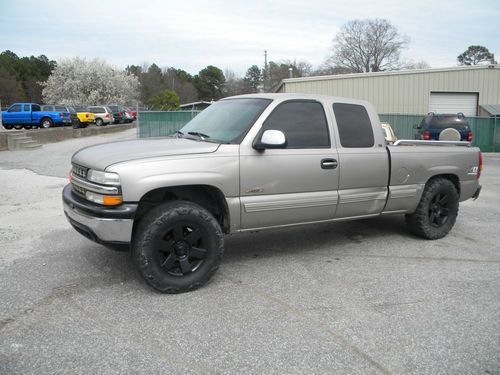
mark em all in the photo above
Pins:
pixel 303 122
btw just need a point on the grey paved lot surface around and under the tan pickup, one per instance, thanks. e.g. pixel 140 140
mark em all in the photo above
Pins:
pixel 351 298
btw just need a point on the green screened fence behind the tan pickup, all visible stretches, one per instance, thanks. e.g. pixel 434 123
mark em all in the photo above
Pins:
pixel 485 130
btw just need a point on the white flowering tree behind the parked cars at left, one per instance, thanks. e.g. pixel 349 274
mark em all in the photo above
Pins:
pixel 79 81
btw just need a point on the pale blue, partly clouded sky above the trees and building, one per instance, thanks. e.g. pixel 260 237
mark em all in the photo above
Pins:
pixel 233 34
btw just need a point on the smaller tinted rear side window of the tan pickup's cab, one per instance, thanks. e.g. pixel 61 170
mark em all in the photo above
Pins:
pixel 355 128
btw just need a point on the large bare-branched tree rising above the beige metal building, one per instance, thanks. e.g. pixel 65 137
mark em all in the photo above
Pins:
pixel 368 46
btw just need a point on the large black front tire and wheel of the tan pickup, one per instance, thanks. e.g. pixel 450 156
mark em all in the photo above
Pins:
pixel 159 229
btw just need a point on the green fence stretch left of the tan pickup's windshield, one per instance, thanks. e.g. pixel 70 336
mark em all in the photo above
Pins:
pixel 162 123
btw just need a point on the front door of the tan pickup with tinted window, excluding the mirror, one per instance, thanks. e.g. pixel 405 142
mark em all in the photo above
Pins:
pixel 295 184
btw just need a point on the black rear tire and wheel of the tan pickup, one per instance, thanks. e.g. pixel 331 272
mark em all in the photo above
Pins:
pixel 437 210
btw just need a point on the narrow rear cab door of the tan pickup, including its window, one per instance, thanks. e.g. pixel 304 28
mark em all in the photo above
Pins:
pixel 363 160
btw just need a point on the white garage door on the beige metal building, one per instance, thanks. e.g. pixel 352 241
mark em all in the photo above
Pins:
pixel 453 102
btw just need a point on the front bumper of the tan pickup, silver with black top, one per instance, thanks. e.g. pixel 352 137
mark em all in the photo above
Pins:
pixel 107 226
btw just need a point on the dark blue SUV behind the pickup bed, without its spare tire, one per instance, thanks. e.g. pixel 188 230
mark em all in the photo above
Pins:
pixel 433 124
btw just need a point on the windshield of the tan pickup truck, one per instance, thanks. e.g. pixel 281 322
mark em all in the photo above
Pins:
pixel 226 121
